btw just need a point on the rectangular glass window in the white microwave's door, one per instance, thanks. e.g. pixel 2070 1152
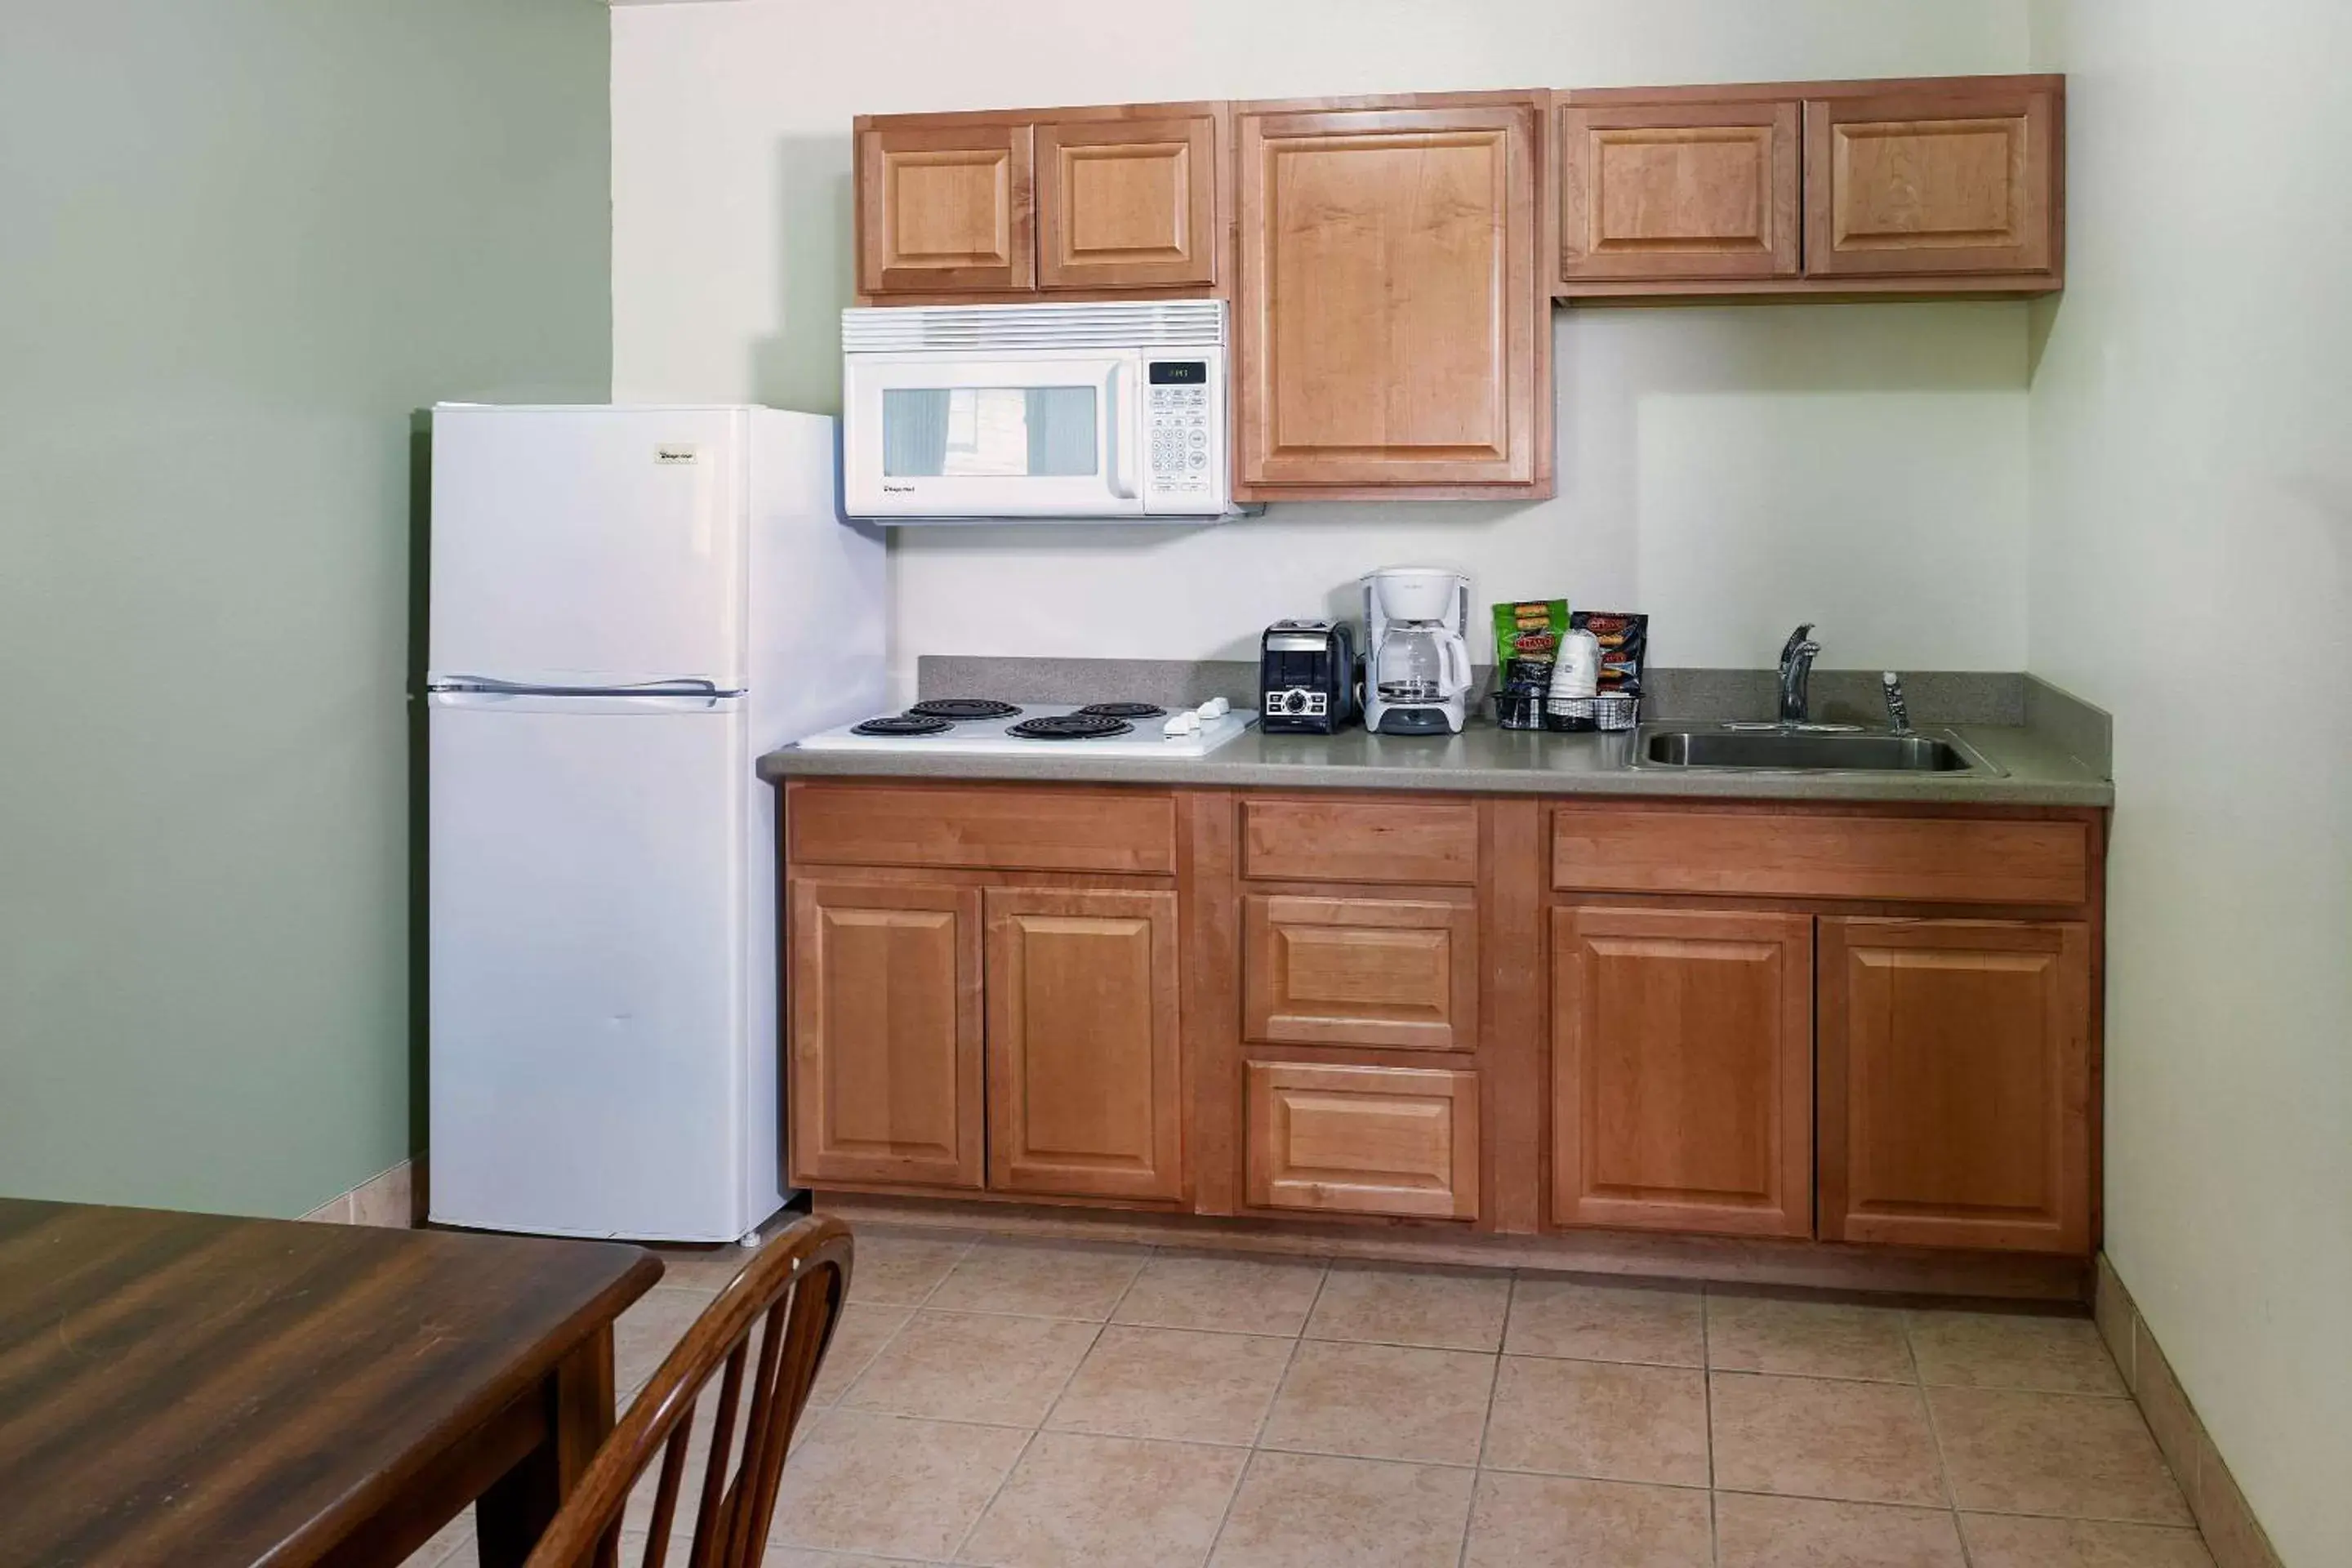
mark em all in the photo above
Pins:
pixel 989 431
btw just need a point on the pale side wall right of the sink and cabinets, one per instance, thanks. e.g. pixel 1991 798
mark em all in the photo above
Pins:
pixel 2193 572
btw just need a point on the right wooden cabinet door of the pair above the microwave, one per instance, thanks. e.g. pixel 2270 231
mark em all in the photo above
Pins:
pixel 1128 203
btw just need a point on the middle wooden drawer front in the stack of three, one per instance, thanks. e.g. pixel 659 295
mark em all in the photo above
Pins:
pixel 1361 972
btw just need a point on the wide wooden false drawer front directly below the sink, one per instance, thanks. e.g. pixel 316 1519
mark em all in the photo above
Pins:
pixel 1688 850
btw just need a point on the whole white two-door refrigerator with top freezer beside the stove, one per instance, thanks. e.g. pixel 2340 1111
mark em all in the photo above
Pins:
pixel 627 608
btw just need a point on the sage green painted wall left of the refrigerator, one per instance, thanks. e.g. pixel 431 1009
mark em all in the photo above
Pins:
pixel 241 243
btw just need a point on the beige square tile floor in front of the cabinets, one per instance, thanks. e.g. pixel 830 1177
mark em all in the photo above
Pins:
pixel 1029 1405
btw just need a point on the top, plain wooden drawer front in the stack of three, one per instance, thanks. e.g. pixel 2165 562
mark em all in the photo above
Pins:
pixel 1309 840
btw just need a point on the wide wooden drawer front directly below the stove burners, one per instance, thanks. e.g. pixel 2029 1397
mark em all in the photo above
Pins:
pixel 1017 831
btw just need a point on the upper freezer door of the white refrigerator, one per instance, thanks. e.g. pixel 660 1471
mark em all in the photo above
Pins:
pixel 589 547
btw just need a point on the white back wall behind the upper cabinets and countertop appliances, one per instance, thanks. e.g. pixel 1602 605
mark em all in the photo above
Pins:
pixel 1725 469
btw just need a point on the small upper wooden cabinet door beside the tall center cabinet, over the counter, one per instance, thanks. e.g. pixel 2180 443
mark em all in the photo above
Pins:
pixel 1652 192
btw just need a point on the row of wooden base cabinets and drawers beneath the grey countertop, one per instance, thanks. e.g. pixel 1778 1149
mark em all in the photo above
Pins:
pixel 1869 1033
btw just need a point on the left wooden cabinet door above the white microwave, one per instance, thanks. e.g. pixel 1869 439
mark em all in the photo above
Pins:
pixel 947 210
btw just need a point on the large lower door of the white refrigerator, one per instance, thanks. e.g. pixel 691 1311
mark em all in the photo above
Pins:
pixel 589 871
